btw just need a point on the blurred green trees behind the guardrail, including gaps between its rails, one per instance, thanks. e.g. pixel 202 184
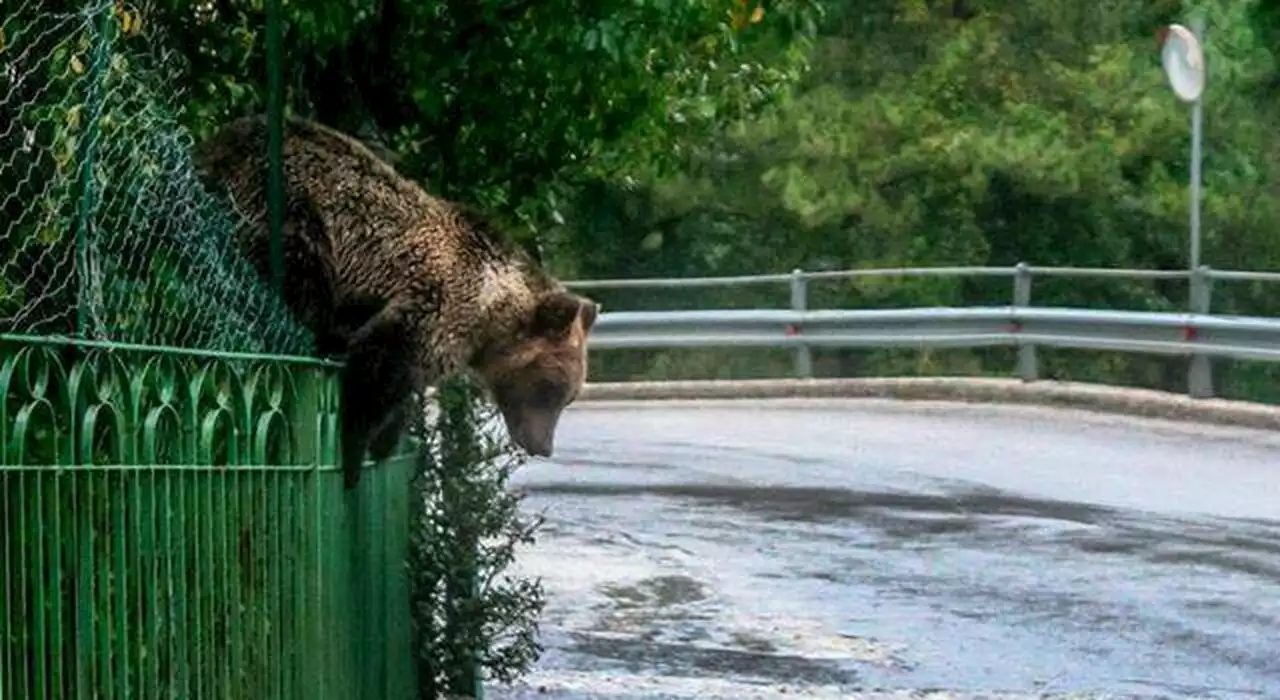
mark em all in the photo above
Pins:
pixel 973 132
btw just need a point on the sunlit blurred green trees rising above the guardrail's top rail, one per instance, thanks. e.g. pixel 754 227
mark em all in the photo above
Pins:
pixel 982 132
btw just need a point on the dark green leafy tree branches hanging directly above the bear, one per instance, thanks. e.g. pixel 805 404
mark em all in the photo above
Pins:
pixel 501 103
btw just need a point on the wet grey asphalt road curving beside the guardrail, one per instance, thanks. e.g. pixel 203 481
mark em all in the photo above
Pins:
pixel 880 550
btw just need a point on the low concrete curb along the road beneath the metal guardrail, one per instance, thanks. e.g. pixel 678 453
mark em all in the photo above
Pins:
pixel 1091 397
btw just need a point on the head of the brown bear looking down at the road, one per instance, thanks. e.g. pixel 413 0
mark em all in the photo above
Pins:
pixel 543 370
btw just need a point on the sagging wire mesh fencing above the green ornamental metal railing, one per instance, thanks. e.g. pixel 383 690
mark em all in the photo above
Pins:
pixel 107 232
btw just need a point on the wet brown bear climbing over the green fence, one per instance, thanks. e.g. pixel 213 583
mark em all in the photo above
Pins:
pixel 409 287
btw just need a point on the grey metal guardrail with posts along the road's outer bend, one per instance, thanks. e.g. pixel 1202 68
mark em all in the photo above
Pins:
pixel 1196 335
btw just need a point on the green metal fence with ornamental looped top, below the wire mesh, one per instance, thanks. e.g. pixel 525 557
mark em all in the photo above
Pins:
pixel 175 527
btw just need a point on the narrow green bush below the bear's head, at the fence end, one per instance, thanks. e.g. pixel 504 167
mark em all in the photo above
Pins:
pixel 473 620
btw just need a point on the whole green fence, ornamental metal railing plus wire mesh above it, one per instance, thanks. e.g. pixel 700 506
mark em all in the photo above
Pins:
pixel 173 520
